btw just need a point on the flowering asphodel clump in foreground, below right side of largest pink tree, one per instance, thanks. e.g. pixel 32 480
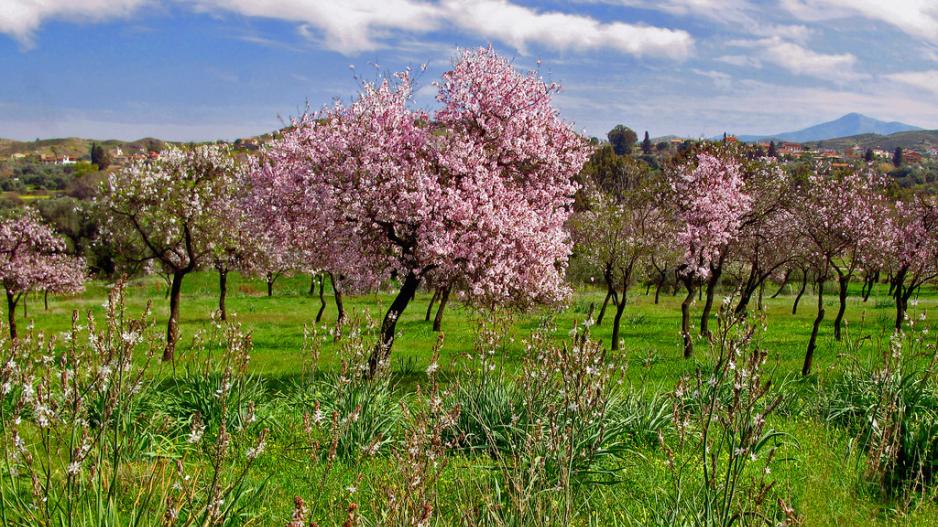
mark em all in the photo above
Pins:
pixel 547 431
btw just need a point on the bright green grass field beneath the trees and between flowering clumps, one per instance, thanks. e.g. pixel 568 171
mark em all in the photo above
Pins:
pixel 818 469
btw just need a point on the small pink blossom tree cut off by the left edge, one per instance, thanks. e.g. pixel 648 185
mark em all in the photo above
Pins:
pixel 33 257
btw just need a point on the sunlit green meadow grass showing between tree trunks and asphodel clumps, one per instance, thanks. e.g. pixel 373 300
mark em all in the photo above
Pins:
pixel 819 468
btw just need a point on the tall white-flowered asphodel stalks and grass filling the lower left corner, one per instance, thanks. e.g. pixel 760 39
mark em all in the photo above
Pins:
pixel 82 446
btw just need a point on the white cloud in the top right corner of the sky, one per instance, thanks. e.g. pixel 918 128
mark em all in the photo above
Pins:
pixel 915 17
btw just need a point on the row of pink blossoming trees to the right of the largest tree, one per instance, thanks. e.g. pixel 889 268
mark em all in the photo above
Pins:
pixel 723 211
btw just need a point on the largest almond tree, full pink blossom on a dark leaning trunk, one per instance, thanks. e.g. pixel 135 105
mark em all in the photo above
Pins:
pixel 480 190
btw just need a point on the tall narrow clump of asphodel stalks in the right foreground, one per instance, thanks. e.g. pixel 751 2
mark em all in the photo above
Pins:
pixel 720 458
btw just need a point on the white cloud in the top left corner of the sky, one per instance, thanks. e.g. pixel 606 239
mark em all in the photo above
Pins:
pixel 21 18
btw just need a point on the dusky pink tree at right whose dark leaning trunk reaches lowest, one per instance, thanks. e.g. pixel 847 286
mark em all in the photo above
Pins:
pixel 840 218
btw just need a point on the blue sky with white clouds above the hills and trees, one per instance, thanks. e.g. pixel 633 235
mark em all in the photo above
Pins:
pixel 208 69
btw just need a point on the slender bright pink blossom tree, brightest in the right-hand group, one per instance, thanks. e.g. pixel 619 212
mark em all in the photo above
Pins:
pixel 709 205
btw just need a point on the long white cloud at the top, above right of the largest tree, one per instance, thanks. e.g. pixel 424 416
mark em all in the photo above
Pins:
pixel 520 27
